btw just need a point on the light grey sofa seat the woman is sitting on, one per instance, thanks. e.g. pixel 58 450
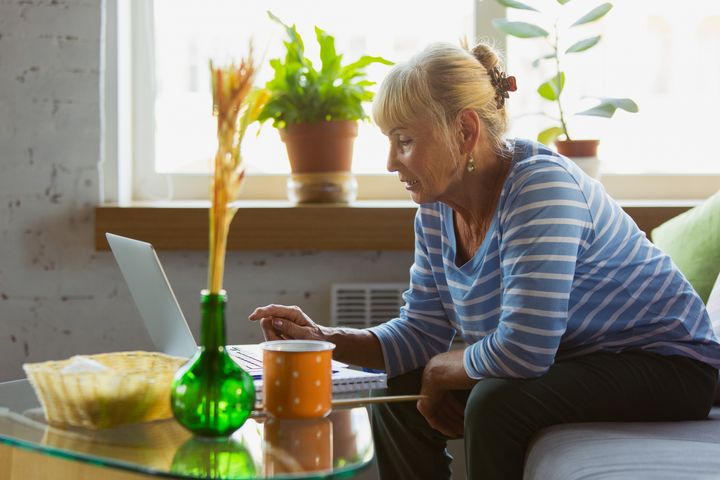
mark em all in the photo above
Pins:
pixel 621 451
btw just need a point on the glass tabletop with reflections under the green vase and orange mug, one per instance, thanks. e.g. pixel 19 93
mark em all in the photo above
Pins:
pixel 338 444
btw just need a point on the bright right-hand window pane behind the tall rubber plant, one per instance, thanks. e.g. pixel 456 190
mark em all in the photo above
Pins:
pixel 660 53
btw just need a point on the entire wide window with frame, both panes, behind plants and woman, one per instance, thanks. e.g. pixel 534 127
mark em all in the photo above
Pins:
pixel 161 49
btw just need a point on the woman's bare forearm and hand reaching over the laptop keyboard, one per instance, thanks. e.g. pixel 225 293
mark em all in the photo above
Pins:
pixel 354 346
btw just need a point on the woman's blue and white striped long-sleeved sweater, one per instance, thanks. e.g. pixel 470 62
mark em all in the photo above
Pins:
pixel 563 271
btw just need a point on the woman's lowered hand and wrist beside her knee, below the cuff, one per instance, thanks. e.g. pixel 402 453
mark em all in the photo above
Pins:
pixel 445 386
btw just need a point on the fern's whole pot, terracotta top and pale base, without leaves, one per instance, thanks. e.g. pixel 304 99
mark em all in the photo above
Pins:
pixel 320 155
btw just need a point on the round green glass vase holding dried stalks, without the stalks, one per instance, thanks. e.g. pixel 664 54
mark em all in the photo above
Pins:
pixel 211 395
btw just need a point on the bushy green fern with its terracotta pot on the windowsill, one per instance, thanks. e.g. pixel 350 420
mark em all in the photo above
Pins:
pixel 316 112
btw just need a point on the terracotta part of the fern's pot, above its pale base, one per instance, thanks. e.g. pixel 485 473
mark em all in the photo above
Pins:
pixel 320 146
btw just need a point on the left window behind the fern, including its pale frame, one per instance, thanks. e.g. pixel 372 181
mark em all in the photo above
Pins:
pixel 172 41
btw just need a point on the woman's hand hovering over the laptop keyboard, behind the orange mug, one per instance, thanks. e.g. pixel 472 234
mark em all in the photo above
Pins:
pixel 280 322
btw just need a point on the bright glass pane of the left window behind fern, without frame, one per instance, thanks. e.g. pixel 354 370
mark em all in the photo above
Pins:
pixel 188 33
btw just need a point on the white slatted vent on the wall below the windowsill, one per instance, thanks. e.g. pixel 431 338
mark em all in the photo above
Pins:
pixel 360 305
